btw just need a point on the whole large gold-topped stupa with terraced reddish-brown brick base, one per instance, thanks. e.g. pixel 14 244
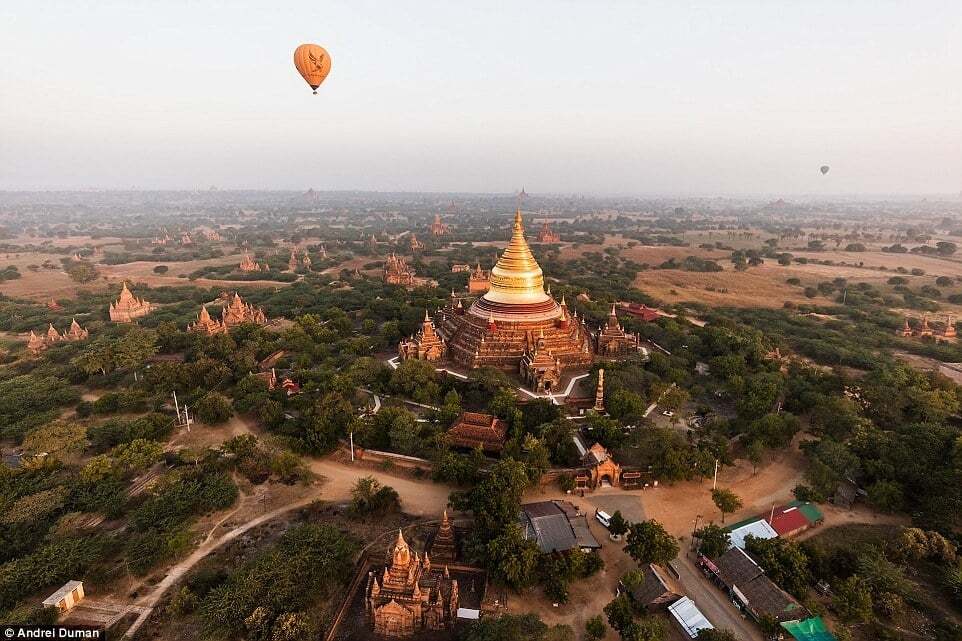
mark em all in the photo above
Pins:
pixel 516 325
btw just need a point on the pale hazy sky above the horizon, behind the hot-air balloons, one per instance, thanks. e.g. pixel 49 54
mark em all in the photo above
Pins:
pixel 708 98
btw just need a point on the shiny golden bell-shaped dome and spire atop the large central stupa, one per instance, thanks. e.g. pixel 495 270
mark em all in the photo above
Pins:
pixel 517 278
